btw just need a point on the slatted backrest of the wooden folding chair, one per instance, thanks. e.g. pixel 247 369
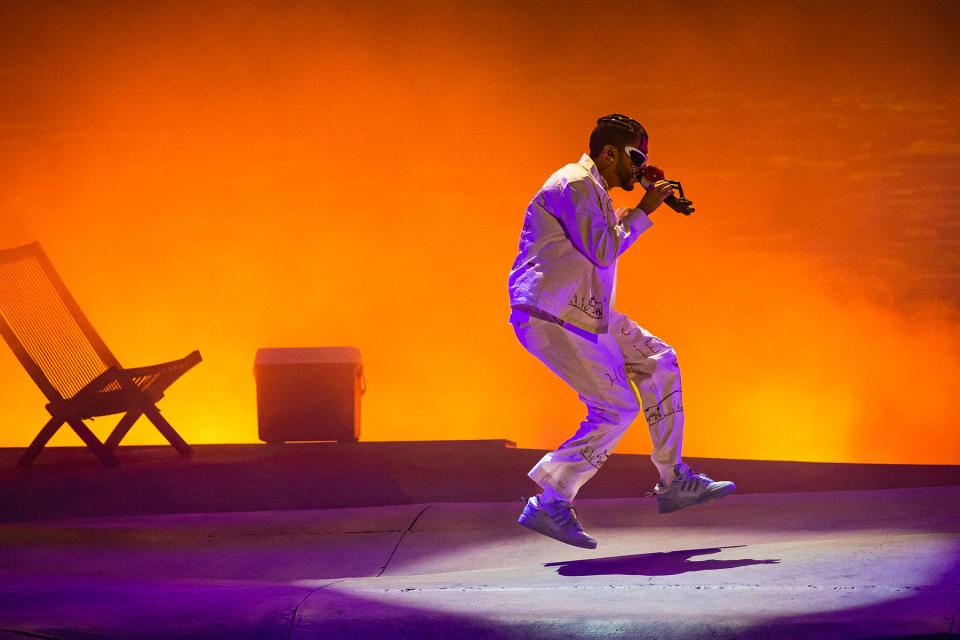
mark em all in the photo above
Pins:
pixel 45 327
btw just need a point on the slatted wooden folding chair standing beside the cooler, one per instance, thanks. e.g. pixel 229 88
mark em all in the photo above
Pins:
pixel 73 367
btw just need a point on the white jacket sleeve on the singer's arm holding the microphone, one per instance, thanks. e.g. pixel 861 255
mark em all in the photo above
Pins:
pixel 592 224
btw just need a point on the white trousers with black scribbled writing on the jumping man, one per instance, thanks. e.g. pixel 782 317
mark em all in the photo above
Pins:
pixel 601 371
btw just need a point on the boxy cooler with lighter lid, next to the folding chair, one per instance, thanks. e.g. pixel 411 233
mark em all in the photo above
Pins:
pixel 309 393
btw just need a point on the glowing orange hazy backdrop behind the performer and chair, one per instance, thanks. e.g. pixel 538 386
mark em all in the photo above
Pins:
pixel 229 176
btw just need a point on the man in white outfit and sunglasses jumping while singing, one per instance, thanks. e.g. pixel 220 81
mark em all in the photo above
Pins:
pixel 562 290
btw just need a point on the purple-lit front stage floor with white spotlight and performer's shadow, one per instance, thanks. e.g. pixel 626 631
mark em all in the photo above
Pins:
pixel 834 564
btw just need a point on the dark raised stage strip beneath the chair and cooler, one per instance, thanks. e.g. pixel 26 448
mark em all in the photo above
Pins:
pixel 69 482
